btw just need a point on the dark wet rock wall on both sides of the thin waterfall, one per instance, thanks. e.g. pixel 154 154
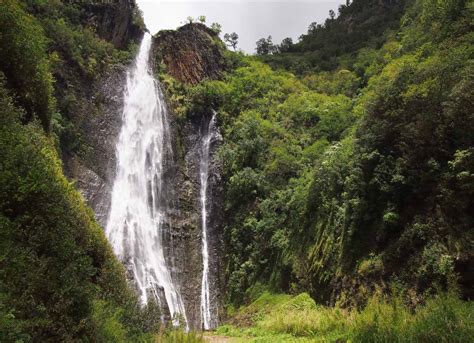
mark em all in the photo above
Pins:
pixel 185 218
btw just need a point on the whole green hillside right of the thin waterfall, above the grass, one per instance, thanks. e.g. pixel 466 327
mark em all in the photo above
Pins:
pixel 342 181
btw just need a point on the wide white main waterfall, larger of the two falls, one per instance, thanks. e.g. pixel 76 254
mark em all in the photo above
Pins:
pixel 136 222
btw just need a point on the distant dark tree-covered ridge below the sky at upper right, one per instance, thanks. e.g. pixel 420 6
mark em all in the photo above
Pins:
pixel 336 42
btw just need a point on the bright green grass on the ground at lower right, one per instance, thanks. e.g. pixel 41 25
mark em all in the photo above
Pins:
pixel 280 318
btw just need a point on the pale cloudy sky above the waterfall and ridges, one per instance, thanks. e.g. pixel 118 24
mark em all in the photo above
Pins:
pixel 250 19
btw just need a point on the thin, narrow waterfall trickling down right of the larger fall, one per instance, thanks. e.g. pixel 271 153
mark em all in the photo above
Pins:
pixel 207 135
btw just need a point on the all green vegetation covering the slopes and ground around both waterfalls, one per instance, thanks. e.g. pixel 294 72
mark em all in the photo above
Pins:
pixel 347 166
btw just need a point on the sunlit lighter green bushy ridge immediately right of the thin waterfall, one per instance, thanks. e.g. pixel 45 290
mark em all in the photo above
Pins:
pixel 275 128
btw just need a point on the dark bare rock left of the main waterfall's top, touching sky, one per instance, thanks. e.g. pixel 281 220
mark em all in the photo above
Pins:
pixel 114 20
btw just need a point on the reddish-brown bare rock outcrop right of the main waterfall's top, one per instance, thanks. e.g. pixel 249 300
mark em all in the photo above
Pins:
pixel 191 53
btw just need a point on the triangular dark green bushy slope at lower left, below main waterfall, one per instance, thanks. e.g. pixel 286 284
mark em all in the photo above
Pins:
pixel 55 261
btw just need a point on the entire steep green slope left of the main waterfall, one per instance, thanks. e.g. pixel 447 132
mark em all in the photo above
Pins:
pixel 59 280
